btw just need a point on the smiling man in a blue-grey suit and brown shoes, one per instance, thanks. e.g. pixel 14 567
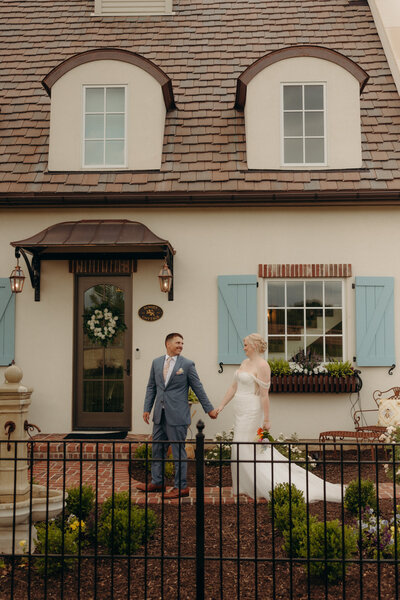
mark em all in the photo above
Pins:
pixel 168 386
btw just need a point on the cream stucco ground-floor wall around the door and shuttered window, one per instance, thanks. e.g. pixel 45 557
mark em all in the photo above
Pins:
pixel 208 243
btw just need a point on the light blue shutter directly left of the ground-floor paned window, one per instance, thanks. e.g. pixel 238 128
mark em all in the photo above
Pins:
pixel 237 315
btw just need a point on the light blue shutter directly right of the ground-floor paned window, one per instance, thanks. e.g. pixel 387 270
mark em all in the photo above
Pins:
pixel 375 321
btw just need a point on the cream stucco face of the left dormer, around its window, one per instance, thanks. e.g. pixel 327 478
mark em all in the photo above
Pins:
pixel 145 115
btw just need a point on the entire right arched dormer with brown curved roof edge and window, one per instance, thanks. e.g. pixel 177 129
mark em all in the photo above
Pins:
pixel 299 104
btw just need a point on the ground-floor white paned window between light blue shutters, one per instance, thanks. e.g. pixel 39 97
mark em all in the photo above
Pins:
pixel 305 316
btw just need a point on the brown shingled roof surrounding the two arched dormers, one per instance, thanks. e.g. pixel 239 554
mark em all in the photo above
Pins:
pixel 202 48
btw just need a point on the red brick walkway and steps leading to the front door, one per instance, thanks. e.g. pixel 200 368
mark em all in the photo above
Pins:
pixel 113 467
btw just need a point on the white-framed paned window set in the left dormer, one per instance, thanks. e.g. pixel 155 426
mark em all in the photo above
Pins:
pixel 104 137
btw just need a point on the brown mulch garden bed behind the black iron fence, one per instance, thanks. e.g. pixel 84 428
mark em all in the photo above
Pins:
pixel 243 530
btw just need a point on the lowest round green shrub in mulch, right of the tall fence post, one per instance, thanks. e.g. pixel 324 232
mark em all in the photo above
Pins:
pixel 332 569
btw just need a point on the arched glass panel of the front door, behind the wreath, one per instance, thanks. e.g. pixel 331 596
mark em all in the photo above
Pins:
pixel 103 367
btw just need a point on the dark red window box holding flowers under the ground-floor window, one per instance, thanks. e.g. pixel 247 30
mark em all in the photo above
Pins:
pixel 309 384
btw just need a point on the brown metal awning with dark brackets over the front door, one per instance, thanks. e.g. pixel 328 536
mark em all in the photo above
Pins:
pixel 95 238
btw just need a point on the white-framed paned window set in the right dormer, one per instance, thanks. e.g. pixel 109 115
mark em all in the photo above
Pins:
pixel 303 124
